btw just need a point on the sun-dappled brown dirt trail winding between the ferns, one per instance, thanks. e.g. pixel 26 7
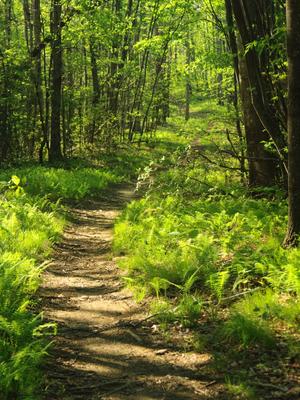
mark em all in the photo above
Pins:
pixel 99 352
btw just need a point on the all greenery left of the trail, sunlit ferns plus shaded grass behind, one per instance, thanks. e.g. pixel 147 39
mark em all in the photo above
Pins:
pixel 30 222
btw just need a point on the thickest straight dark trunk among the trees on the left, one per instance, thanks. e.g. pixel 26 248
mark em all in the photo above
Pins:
pixel 55 153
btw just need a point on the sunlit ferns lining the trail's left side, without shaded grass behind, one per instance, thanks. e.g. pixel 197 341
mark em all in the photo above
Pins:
pixel 27 229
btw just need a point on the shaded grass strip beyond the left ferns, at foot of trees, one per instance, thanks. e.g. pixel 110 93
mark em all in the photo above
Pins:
pixel 78 179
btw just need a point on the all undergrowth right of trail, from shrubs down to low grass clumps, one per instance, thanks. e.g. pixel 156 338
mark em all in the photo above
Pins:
pixel 199 244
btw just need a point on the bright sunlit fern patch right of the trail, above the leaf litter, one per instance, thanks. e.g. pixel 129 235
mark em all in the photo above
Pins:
pixel 228 242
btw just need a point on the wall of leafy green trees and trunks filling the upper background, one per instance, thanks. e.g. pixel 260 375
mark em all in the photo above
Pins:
pixel 82 74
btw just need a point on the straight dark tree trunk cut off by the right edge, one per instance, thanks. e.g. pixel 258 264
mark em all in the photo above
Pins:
pixel 293 48
